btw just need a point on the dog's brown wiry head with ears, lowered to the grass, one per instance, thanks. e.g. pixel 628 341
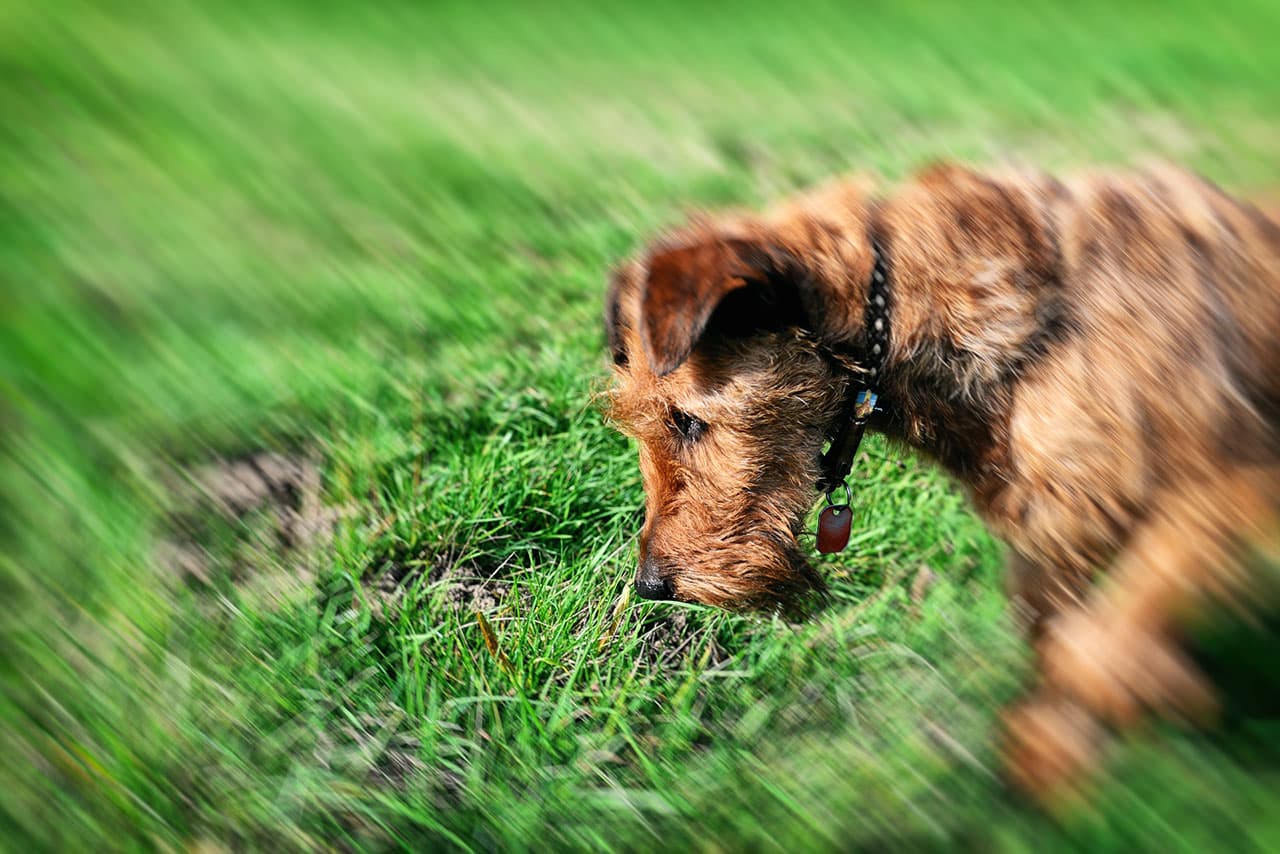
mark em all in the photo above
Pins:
pixel 721 340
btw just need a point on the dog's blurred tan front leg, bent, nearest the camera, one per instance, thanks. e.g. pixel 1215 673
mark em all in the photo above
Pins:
pixel 1117 657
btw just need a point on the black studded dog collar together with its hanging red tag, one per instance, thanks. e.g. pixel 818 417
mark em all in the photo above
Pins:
pixel 861 399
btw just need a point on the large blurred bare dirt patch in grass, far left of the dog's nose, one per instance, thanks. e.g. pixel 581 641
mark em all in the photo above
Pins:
pixel 245 519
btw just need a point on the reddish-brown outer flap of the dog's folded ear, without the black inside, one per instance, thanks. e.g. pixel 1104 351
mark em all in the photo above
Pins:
pixel 685 286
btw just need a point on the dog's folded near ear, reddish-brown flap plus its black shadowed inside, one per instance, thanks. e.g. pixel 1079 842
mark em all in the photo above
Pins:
pixel 744 285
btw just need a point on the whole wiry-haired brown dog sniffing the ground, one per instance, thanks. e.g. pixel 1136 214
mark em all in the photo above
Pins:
pixel 1095 360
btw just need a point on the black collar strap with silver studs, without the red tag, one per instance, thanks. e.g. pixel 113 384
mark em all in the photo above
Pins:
pixel 861 395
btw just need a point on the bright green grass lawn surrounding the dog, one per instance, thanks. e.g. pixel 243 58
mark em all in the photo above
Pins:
pixel 378 236
